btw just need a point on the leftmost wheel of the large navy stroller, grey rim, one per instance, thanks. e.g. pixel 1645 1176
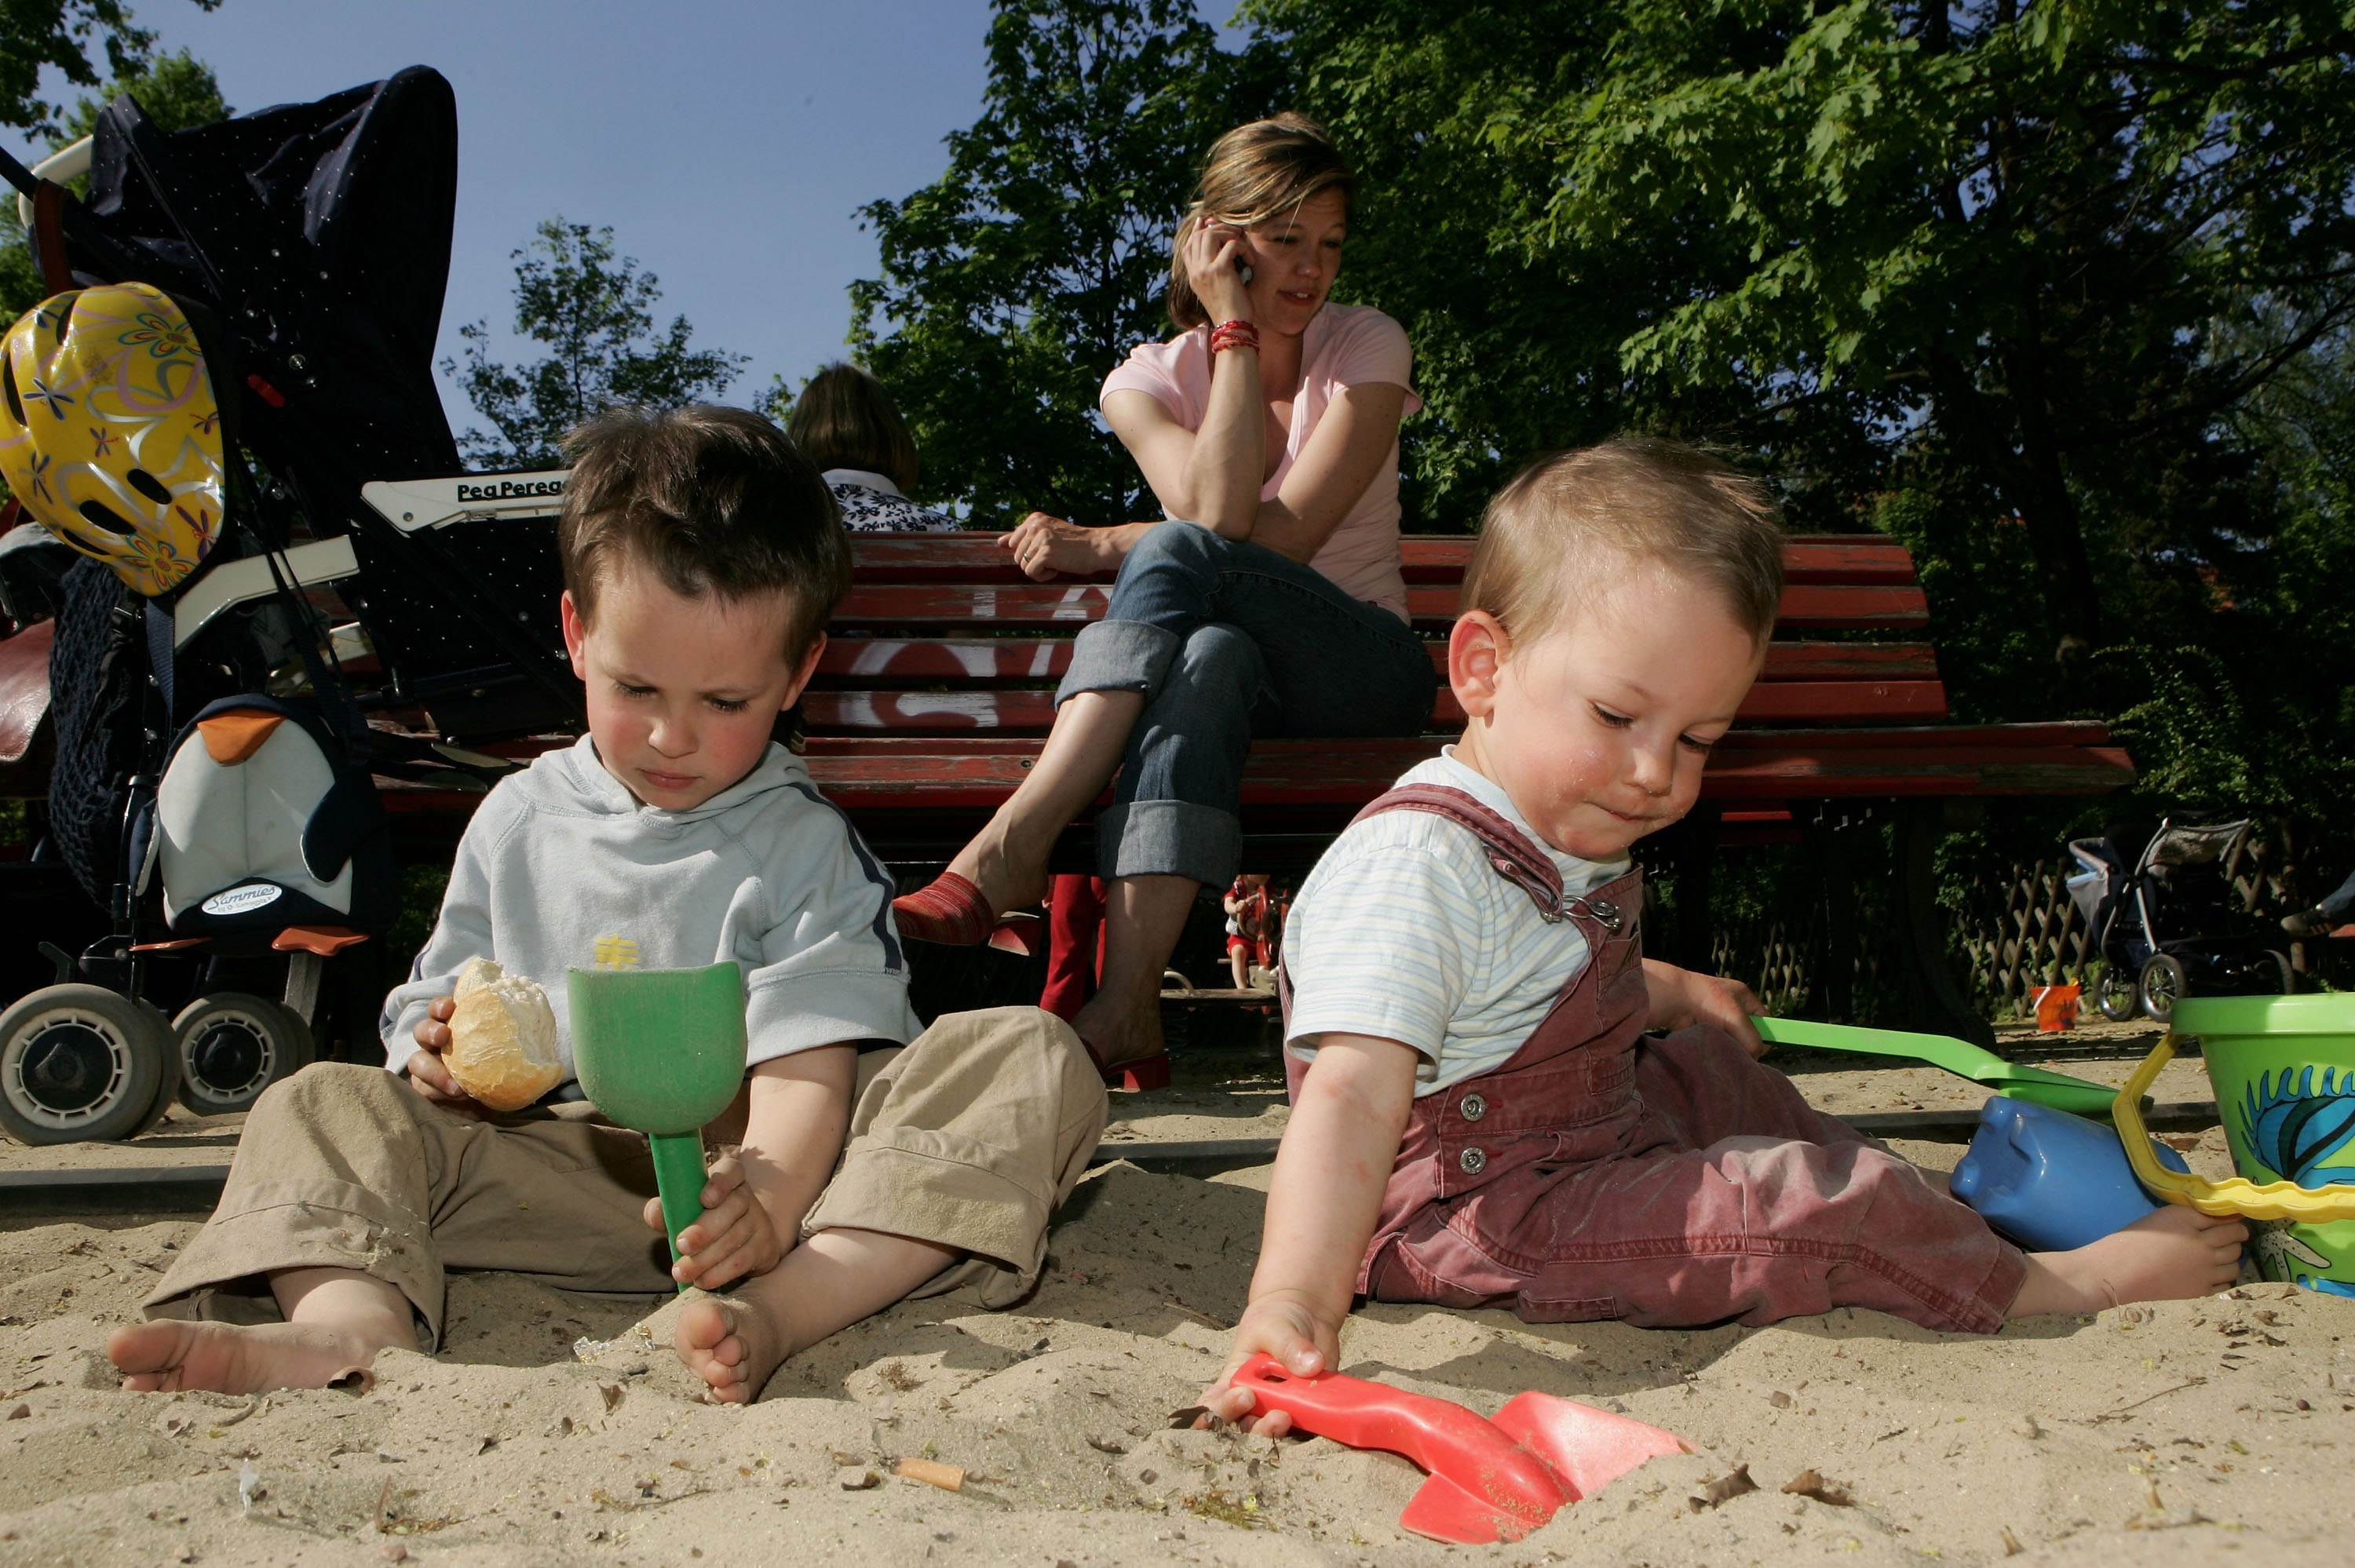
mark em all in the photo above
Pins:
pixel 81 1065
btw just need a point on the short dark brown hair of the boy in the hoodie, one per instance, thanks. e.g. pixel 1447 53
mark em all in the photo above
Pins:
pixel 712 500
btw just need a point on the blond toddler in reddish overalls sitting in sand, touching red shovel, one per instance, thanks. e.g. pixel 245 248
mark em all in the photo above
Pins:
pixel 1480 1117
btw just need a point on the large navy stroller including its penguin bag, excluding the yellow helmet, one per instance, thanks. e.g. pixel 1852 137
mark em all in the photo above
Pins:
pixel 361 599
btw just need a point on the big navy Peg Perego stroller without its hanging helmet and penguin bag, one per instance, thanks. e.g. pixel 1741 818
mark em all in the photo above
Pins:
pixel 317 241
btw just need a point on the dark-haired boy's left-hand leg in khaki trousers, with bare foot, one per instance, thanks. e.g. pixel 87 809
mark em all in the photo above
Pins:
pixel 350 1197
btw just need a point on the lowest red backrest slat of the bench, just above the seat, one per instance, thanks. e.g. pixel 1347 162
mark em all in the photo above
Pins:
pixel 1035 710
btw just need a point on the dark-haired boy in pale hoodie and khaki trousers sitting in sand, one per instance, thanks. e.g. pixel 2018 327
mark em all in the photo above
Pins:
pixel 703 557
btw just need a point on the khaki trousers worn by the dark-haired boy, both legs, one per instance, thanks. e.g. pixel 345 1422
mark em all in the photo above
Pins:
pixel 969 1138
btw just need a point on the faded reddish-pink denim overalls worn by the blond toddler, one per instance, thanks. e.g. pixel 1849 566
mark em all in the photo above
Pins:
pixel 1600 1174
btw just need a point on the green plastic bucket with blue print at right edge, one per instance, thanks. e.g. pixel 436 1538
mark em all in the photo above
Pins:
pixel 2286 1089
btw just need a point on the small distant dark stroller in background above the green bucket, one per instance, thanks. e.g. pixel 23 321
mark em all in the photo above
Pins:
pixel 2161 922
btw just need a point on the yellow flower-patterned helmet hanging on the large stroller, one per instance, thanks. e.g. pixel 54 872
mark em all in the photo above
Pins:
pixel 112 434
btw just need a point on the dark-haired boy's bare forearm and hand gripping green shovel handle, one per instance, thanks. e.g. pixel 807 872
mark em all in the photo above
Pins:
pixel 757 1197
